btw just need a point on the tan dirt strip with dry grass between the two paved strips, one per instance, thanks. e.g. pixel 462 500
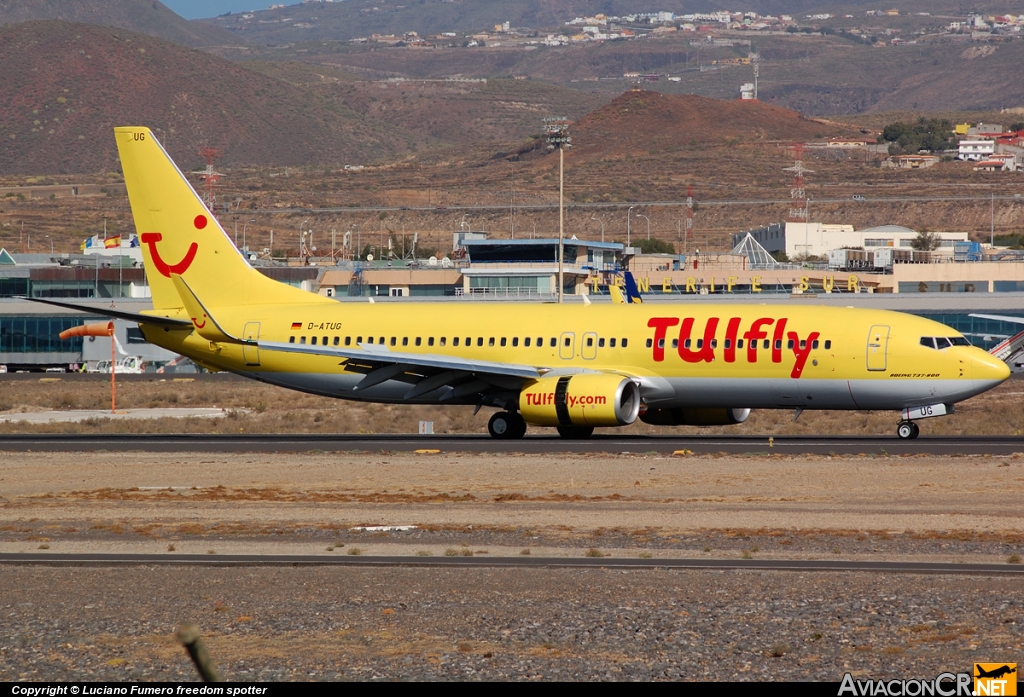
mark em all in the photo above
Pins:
pixel 944 508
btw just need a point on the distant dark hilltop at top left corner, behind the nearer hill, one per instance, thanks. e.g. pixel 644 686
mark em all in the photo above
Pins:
pixel 145 17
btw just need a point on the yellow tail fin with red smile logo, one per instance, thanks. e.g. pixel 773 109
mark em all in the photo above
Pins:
pixel 181 237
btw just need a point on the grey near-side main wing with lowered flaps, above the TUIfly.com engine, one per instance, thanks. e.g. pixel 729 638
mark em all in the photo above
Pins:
pixel 425 372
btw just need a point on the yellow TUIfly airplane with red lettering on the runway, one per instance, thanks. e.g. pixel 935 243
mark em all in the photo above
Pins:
pixel 570 367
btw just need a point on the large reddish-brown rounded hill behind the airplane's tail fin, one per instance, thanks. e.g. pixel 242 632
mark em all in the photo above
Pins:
pixel 67 85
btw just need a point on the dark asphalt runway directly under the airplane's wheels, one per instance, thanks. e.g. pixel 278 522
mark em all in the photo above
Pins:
pixel 947 446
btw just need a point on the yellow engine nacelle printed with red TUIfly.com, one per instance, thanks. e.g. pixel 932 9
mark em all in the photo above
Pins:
pixel 587 400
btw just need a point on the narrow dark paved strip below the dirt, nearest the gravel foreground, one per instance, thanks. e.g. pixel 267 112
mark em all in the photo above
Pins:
pixel 122 560
